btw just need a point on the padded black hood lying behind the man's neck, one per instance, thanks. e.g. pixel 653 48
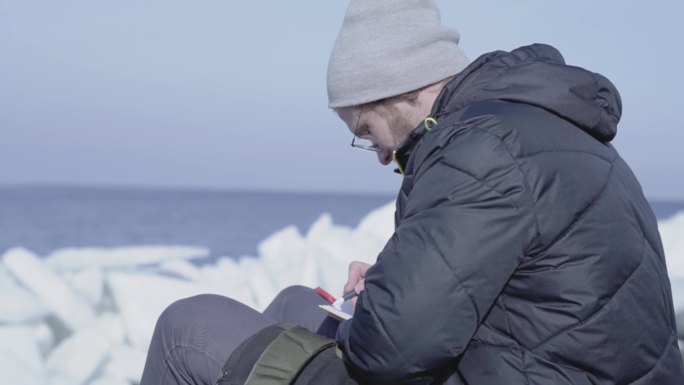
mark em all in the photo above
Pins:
pixel 537 75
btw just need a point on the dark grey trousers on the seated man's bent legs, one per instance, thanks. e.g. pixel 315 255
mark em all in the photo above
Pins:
pixel 194 337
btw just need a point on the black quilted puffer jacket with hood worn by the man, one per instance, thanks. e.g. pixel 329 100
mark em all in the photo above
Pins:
pixel 524 250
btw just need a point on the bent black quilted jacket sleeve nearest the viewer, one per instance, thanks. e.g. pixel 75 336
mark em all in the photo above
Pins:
pixel 460 239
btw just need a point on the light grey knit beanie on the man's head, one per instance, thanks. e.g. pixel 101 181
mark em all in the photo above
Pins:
pixel 390 47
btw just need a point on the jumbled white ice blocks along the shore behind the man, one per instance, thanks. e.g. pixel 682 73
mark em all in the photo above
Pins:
pixel 86 316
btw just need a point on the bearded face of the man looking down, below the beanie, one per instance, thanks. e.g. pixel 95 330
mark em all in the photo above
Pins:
pixel 386 124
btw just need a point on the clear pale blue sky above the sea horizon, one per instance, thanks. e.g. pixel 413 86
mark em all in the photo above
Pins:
pixel 232 94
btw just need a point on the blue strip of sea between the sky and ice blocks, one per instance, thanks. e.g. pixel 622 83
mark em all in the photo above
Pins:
pixel 228 223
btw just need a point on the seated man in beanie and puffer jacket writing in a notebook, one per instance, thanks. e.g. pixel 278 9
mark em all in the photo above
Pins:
pixel 524 250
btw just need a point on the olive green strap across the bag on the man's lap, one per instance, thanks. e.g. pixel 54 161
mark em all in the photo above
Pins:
pixel 286 356
